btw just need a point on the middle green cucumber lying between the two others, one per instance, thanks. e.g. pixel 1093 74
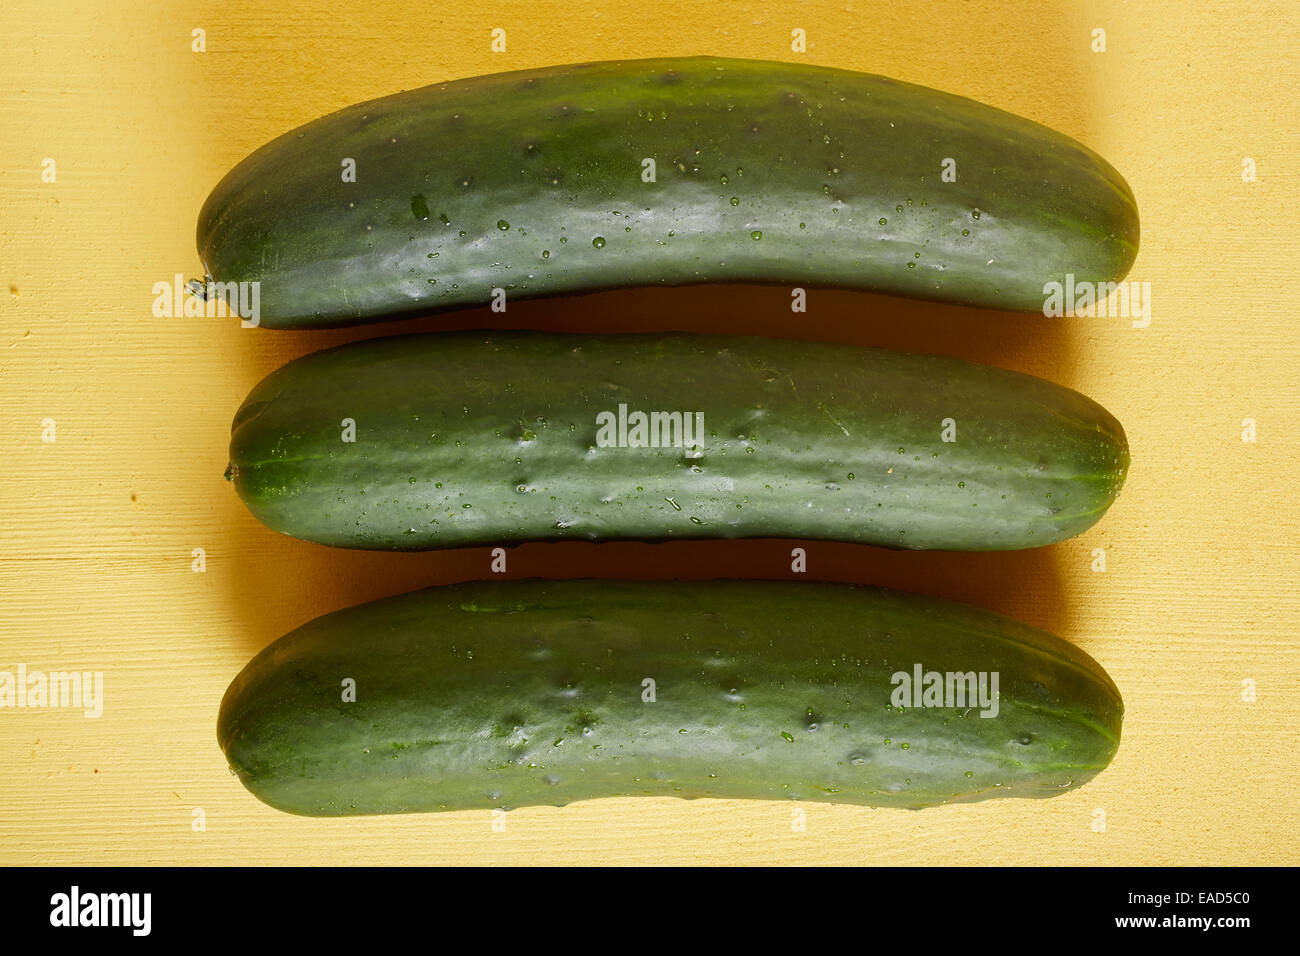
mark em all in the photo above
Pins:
pixel 473 439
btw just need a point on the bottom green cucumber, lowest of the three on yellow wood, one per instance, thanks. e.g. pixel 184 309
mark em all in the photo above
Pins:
pixel 522 694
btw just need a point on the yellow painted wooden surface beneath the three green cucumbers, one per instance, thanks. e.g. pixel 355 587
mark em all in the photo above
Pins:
pixel 97 529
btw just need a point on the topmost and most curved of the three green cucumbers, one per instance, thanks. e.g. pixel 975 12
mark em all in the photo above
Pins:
pixel 839 172
